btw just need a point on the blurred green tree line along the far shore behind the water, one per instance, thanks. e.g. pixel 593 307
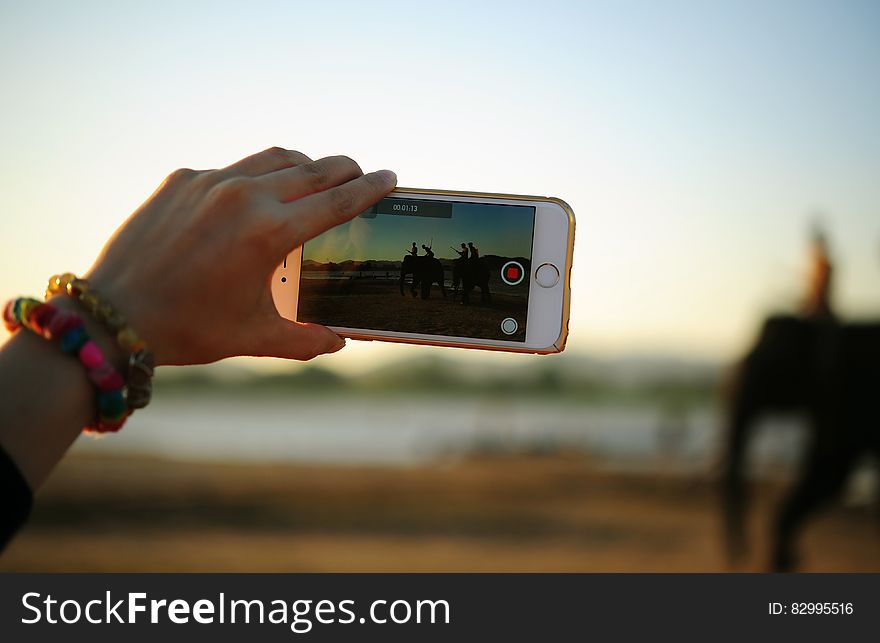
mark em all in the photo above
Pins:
pixel 575 380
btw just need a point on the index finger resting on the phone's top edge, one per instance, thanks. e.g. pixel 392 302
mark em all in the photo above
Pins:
pixel 311 215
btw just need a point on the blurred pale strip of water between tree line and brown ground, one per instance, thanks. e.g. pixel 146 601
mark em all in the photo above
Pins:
pixel 407 431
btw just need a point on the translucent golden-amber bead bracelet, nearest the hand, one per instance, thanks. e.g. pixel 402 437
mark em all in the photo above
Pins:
pixel 139 385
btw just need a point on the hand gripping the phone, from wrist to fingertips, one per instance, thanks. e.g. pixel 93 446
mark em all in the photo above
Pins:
pixel 191 268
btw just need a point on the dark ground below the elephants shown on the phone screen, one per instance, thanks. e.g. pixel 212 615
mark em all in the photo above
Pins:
pixel 377 304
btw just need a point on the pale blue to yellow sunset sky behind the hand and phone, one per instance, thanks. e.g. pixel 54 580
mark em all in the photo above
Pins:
pixel 696 141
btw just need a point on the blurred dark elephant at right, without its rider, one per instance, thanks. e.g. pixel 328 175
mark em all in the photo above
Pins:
pixel 830 372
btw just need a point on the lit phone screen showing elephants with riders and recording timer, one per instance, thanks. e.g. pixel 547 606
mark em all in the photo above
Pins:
pixel 423 266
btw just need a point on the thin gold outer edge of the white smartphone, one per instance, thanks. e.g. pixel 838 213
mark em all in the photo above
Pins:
pixel 558 346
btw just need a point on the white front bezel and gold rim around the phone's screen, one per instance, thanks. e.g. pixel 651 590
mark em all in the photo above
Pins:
pixel 548 312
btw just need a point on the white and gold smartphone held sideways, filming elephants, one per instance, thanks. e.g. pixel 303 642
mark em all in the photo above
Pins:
pixel 441 268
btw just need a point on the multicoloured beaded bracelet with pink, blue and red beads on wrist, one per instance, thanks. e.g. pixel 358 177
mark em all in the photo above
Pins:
pixel 66 327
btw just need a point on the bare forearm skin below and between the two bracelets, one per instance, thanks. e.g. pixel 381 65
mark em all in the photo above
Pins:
pixel 46 398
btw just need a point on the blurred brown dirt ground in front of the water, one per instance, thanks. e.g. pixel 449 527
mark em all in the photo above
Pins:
pixel 515 514
